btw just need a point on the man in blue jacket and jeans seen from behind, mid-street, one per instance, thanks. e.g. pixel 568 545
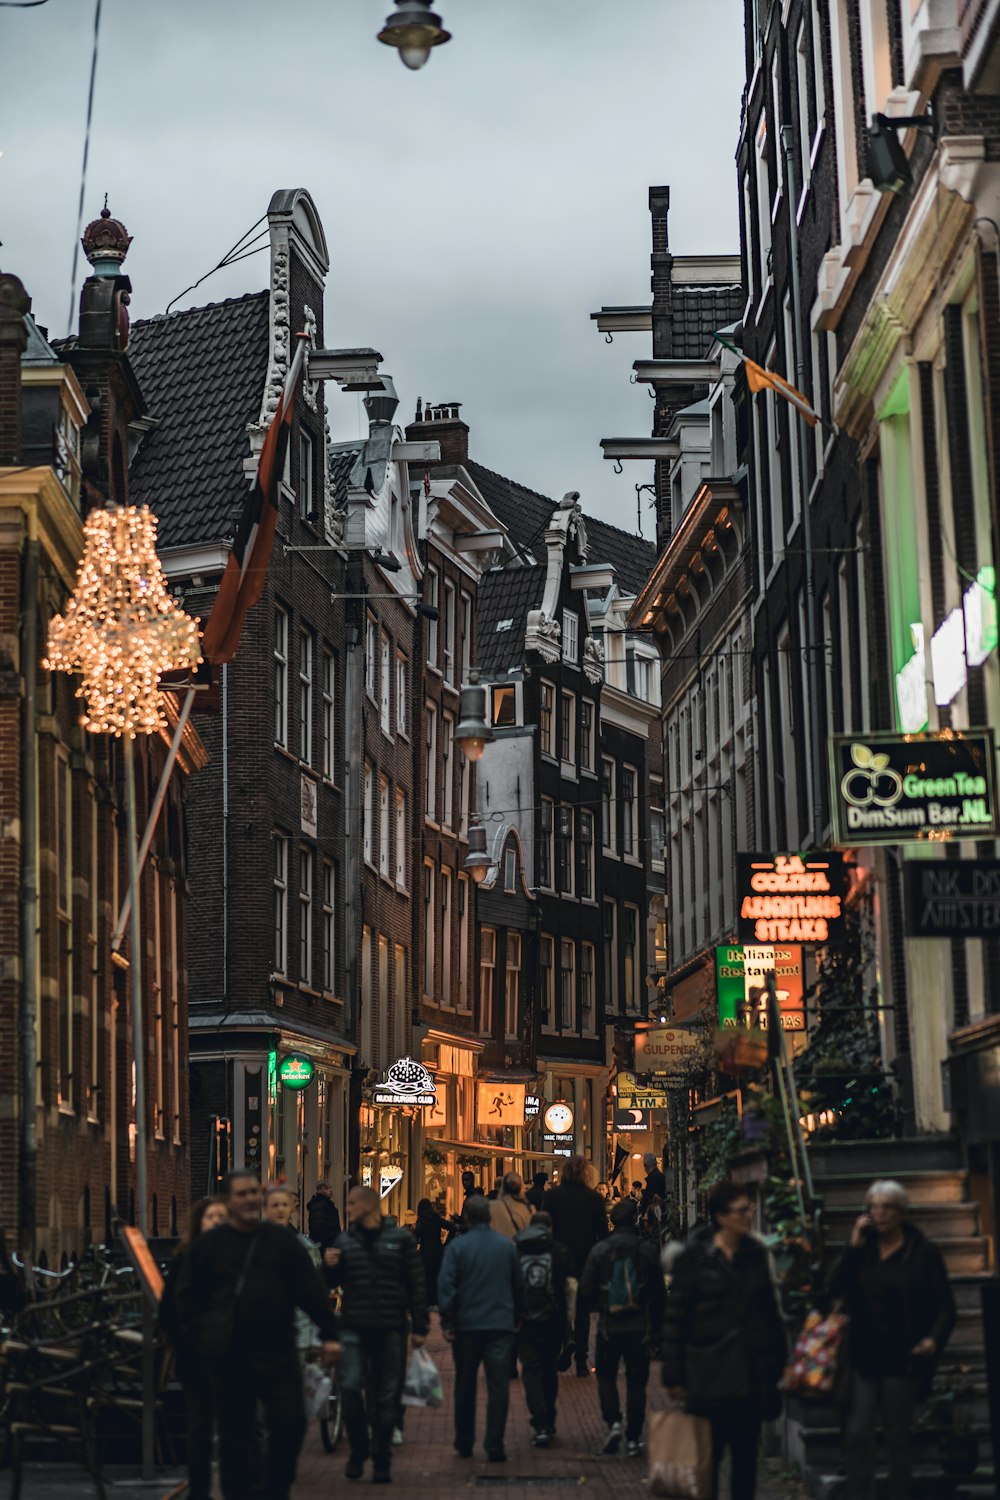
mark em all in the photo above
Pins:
pixel 481 1298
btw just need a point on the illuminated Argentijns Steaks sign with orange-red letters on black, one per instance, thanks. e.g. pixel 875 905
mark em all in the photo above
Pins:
pixel 791 898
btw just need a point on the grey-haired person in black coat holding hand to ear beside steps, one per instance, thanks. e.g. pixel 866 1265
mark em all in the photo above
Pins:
pixel 902 1312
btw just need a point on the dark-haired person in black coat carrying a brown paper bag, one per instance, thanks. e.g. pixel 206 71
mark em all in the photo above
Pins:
pixel 723 1337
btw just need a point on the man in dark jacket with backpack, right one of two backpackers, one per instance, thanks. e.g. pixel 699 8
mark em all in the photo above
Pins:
pixel 624 1282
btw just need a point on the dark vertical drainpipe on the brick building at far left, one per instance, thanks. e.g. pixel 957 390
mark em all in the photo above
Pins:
pixel 28 1156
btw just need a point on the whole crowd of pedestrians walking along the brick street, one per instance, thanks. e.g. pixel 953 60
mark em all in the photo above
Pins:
pixel 522 1280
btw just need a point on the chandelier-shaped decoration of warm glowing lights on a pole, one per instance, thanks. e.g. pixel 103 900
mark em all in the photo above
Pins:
pixel 122 629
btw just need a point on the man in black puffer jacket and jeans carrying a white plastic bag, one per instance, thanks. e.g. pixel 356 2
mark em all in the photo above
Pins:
pixel 383 1283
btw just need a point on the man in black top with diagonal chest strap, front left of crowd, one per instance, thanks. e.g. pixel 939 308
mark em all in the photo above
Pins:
pixel 238 1309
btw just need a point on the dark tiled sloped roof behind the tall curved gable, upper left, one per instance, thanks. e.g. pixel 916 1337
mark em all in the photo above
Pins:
pixel 203 379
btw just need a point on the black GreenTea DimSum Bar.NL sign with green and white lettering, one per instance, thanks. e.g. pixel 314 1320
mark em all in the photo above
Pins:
pixel 897 788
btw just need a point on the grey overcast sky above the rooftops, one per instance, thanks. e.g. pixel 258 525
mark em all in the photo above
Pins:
pixel 478 212
